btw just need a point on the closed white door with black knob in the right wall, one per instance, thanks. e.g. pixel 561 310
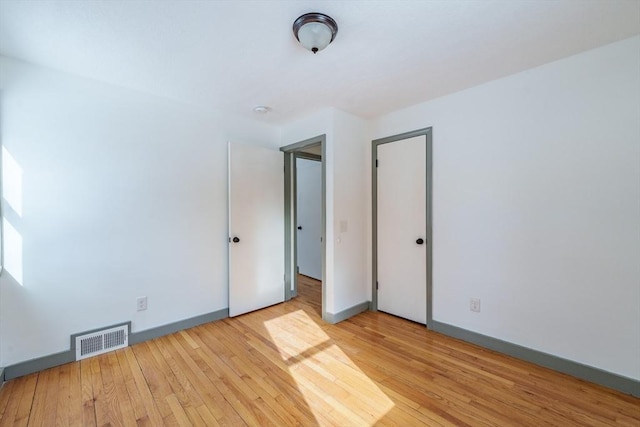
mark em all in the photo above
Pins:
pixel 401 228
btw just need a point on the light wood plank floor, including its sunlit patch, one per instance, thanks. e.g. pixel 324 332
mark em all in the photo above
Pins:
pixel 283 366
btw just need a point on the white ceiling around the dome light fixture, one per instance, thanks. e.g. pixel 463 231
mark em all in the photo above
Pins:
pixel 233 55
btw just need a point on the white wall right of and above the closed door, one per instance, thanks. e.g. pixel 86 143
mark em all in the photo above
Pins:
pixel 536 206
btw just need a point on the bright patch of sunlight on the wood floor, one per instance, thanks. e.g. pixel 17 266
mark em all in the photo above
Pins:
pixel 325 375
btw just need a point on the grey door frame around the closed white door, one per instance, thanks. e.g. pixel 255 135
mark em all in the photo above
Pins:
pixel 427 132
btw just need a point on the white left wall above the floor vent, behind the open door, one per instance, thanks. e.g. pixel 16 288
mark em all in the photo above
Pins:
pixel 124 195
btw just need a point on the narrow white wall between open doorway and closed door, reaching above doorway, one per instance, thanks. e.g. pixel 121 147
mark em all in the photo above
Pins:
pixel 346 194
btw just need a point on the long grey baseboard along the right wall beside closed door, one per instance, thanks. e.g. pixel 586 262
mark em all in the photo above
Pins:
pixel 578 370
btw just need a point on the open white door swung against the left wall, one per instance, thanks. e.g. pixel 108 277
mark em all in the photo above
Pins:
pixel 256 228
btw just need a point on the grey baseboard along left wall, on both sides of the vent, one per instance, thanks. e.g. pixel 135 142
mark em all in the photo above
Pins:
pixel 46 362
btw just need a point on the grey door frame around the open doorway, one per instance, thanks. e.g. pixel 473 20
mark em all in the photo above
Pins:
pixel 291 152
